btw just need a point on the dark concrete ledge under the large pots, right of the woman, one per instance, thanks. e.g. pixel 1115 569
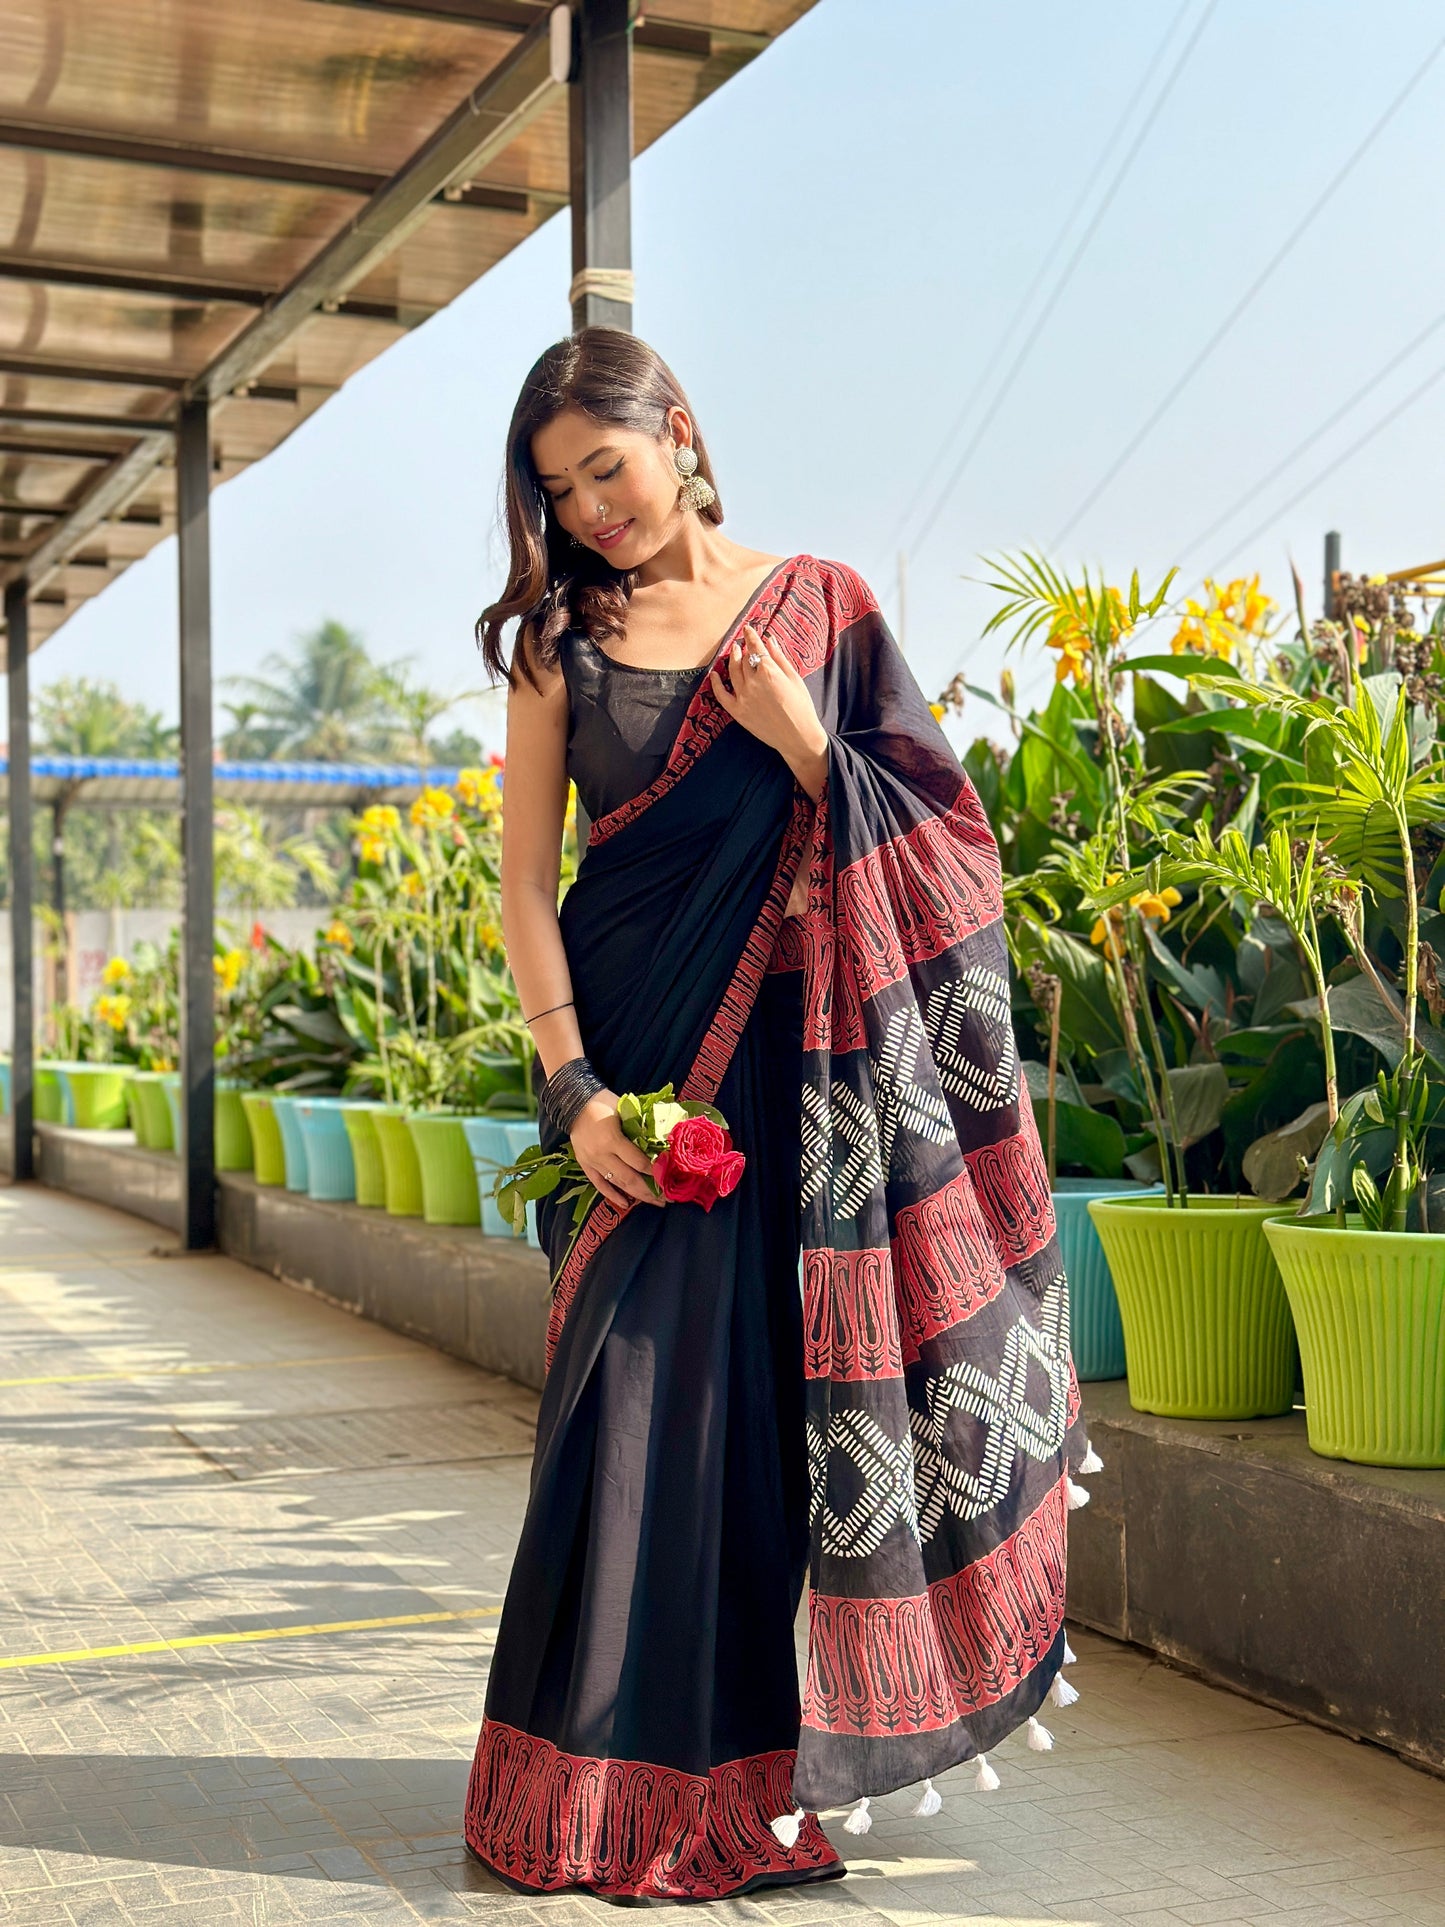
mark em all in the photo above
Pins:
pixel 1305 1583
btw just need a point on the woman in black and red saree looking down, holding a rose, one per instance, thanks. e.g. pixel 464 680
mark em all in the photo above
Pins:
pixel 789 907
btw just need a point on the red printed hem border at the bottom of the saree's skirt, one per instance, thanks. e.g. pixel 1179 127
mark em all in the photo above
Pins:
pixel 550 1820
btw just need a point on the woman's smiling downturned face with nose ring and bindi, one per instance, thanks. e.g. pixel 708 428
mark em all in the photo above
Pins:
pixel 614 488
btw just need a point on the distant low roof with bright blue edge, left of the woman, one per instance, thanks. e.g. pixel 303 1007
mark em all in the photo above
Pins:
pixel 124 783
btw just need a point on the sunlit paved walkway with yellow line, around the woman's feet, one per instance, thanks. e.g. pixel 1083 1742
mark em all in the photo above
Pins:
pixel 199 1460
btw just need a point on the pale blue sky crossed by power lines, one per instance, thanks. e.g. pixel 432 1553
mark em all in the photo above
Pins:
pixel 833 251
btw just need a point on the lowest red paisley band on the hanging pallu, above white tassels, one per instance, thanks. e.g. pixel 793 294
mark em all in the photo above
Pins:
pixel 891 1668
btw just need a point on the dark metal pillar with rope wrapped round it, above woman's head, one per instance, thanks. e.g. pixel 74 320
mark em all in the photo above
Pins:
pixel 600 142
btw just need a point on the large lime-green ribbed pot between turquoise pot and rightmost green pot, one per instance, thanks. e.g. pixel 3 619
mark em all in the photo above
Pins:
pixel 1205 1313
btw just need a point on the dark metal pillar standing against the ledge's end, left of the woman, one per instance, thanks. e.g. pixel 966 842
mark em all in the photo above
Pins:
pixel 199 905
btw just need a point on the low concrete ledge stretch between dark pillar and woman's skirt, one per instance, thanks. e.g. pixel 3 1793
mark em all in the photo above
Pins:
pixel 477 1298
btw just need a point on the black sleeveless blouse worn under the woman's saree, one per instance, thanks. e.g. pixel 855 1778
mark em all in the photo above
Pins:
pixel 623 722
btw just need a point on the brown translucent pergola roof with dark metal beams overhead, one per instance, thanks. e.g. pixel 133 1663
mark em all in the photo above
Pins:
pixel 251 199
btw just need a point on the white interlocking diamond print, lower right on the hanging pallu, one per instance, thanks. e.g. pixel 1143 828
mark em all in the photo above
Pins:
pixel 1012 1423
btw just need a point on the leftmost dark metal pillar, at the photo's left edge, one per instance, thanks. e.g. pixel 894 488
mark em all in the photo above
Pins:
pixel 22 882
